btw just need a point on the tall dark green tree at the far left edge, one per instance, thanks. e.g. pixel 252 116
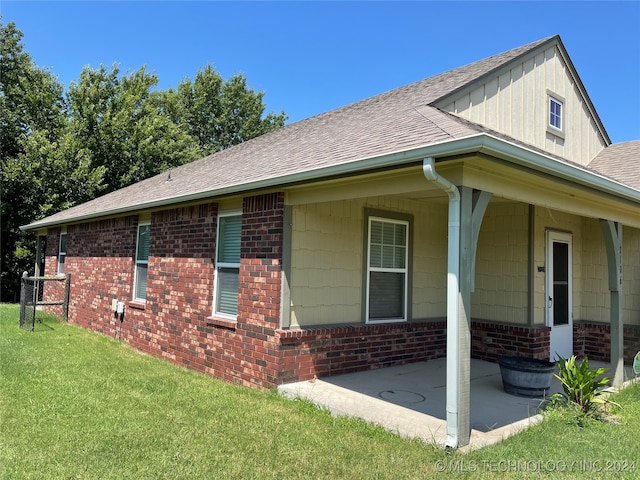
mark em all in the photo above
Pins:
pixel 31 117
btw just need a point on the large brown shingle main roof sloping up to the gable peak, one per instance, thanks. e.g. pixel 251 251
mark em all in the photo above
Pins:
pixel 394 121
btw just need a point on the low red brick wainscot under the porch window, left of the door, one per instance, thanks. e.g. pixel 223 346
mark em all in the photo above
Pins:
pixel 321 352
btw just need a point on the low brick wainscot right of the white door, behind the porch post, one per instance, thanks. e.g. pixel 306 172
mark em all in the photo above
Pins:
pixel 592 339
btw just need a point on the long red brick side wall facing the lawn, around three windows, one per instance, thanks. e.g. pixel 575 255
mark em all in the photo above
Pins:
pixel 176 320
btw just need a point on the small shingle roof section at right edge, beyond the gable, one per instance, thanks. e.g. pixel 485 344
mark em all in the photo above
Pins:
pixel 620 162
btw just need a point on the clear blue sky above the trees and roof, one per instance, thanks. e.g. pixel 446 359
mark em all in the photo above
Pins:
pixel 311 57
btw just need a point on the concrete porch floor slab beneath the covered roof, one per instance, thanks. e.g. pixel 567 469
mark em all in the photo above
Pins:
pixel 411 399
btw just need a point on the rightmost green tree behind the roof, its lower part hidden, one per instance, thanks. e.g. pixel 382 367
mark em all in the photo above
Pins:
pixel 219 113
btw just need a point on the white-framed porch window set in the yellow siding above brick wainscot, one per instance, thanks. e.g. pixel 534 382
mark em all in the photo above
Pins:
pixel 387 282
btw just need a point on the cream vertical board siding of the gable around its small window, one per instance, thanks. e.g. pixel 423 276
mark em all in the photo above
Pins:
pixel 514 102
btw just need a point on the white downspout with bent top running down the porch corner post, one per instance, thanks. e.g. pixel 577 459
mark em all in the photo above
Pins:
pixel 453 289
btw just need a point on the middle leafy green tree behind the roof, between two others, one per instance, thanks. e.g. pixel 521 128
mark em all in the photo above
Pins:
pixel 116 126
